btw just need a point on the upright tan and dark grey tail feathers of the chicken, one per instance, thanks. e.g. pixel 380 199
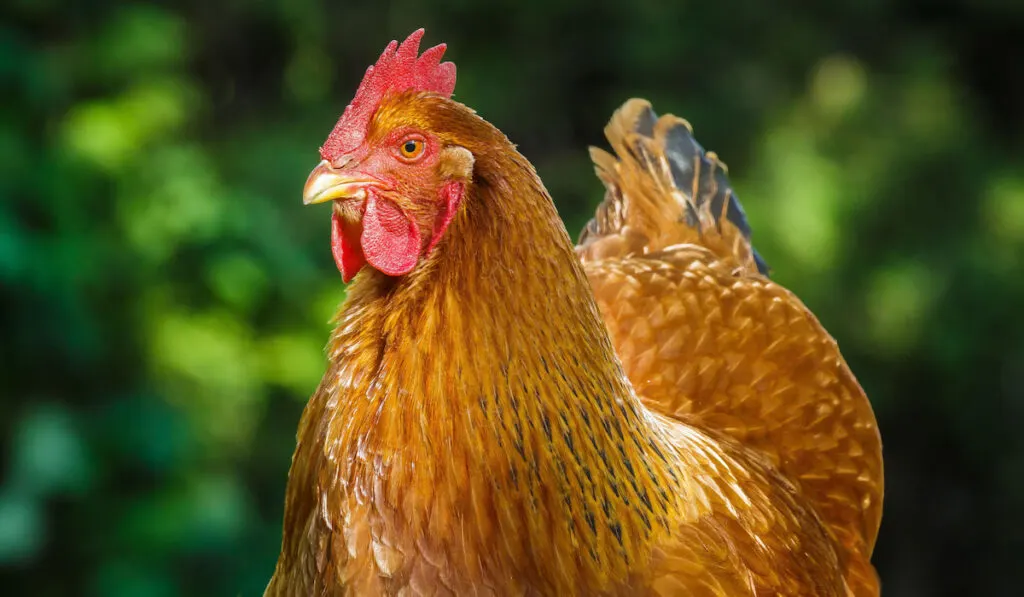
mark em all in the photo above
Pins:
pixel 664 190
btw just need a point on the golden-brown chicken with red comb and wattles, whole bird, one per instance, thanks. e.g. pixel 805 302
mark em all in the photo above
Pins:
pixel 480 432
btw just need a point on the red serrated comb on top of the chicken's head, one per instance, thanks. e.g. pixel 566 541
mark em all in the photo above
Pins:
pixel 399 69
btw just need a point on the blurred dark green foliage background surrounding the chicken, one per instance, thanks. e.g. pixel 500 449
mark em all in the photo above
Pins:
pixel 165 295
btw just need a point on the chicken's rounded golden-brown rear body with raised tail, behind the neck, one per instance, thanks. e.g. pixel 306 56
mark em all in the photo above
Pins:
pixel 707 339
